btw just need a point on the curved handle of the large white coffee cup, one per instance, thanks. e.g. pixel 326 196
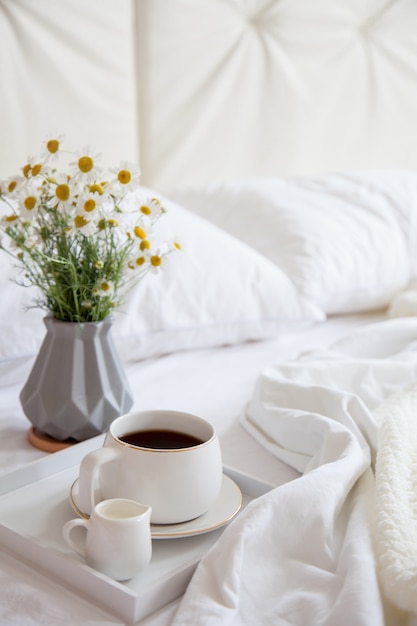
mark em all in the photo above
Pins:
pixel 89 476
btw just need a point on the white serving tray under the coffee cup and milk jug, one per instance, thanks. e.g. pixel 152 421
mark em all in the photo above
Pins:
pixel 34 505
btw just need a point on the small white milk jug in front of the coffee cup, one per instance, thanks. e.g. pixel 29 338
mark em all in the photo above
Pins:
pixel 117 540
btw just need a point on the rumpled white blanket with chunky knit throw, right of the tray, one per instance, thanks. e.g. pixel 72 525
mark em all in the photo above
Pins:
pixel 320 549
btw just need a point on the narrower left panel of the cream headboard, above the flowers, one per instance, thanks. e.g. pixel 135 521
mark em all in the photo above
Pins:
pixel 67 66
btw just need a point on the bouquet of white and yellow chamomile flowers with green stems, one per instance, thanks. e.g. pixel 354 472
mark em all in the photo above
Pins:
pixel 71 235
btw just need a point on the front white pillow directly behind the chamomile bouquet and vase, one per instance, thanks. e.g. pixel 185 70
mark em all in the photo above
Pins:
pixel 217 291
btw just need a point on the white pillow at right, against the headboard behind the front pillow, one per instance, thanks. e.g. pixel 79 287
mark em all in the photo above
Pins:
pixel 344 240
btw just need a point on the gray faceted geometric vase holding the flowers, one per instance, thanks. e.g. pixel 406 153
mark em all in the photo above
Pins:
pixel 77 385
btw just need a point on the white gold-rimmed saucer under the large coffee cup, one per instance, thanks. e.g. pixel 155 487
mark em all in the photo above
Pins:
pixel 226 506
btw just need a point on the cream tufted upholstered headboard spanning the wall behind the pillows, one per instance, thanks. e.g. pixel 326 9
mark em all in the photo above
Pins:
pixel 196 90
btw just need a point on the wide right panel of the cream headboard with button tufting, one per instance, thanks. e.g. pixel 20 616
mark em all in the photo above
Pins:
pixel 266 87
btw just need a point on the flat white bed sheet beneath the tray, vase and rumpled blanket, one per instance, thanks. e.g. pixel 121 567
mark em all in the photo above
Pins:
pixel 214 383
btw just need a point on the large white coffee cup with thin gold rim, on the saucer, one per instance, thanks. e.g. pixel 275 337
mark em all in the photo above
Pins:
pixel 179 484
